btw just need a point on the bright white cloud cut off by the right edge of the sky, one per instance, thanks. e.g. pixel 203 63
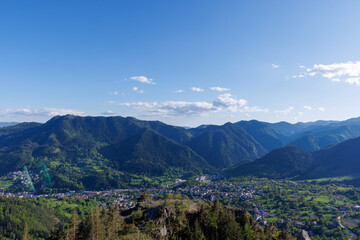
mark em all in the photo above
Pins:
pixel 348 72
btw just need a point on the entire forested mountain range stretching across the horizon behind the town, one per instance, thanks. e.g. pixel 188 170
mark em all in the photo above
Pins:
pixel 102 152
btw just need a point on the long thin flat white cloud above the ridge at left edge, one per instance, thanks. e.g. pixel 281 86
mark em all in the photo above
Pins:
pixel 39 112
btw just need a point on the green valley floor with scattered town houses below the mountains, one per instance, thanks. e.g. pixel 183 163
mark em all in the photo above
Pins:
pixel 327 210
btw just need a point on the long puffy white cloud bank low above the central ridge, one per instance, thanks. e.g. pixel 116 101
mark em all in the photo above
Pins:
pixel 224 102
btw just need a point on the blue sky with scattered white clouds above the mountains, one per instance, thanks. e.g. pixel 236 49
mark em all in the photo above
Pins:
pixel 185 63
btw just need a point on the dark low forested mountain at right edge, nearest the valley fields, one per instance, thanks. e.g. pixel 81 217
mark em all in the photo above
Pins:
pixel 292 162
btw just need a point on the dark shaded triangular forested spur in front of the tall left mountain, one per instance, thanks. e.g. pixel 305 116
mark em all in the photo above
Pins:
pixel 151 153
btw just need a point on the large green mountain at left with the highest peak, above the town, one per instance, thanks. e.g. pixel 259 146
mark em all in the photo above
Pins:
pixel 82 150
